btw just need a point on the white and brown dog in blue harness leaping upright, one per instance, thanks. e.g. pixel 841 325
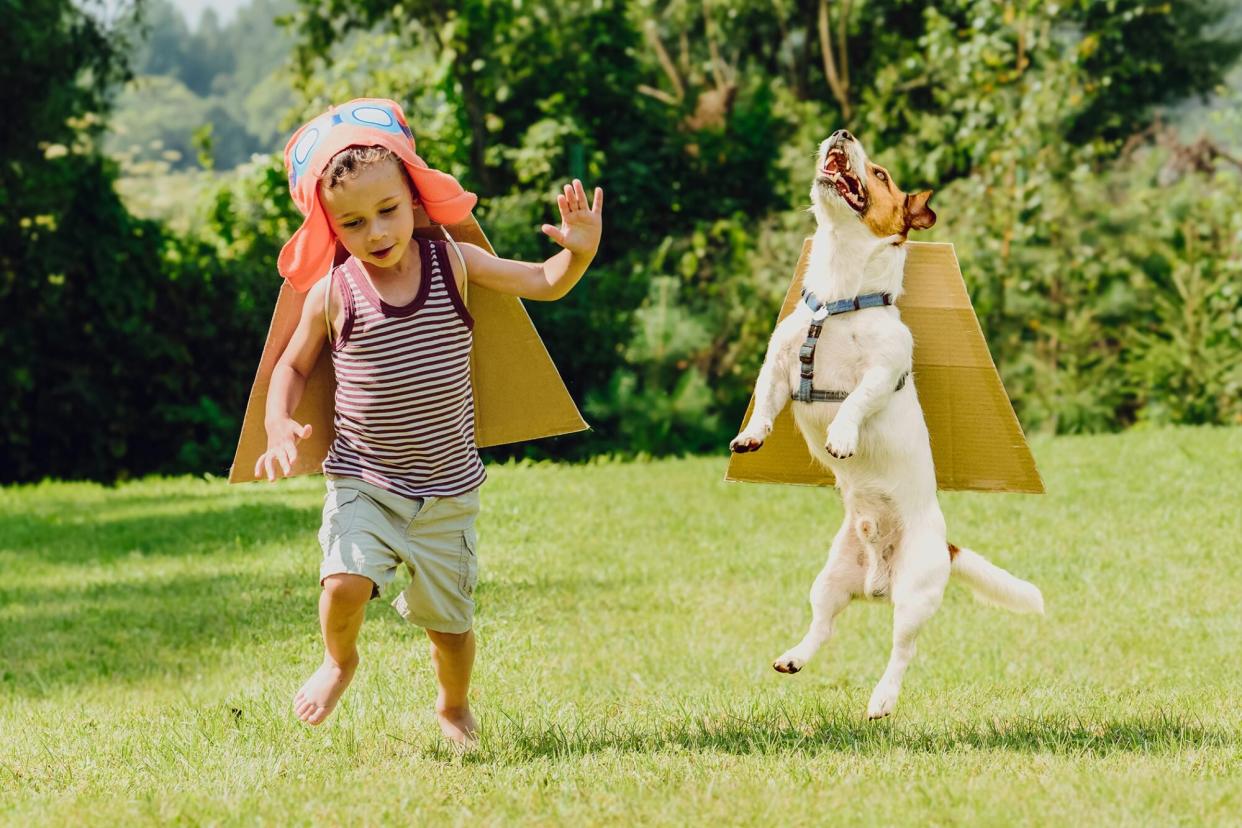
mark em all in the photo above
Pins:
pixel 864 420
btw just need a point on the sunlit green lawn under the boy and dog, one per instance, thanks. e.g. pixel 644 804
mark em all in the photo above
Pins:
pixel 153 635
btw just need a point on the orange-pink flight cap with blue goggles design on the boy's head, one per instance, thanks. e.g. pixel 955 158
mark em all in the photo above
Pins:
pixel 363 122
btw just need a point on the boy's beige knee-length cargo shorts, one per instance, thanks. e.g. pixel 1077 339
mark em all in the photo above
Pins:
pixel 371 532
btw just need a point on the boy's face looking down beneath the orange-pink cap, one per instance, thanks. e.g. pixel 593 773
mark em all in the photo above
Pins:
pixel 372 213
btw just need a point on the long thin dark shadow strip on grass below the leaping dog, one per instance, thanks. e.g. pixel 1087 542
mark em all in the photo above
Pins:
pixel 517 742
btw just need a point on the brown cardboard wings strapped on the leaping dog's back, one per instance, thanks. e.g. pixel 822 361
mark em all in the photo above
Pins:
pixel 977 441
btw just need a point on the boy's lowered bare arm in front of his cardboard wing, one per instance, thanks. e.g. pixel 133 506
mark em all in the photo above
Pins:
pixel 289 382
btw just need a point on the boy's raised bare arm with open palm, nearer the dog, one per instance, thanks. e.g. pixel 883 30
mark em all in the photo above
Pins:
pixel 579 234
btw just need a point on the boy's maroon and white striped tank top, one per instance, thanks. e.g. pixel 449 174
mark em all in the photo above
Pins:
pixel 406 413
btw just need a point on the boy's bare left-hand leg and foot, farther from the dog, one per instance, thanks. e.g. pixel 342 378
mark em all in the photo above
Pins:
pixel 342 609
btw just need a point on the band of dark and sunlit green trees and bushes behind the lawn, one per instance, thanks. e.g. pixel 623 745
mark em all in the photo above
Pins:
pixel 1085 156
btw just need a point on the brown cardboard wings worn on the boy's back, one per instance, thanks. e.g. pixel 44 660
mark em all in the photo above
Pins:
pixel 519 394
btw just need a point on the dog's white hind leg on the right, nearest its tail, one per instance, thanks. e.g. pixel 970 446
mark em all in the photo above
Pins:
pixel 921 573
